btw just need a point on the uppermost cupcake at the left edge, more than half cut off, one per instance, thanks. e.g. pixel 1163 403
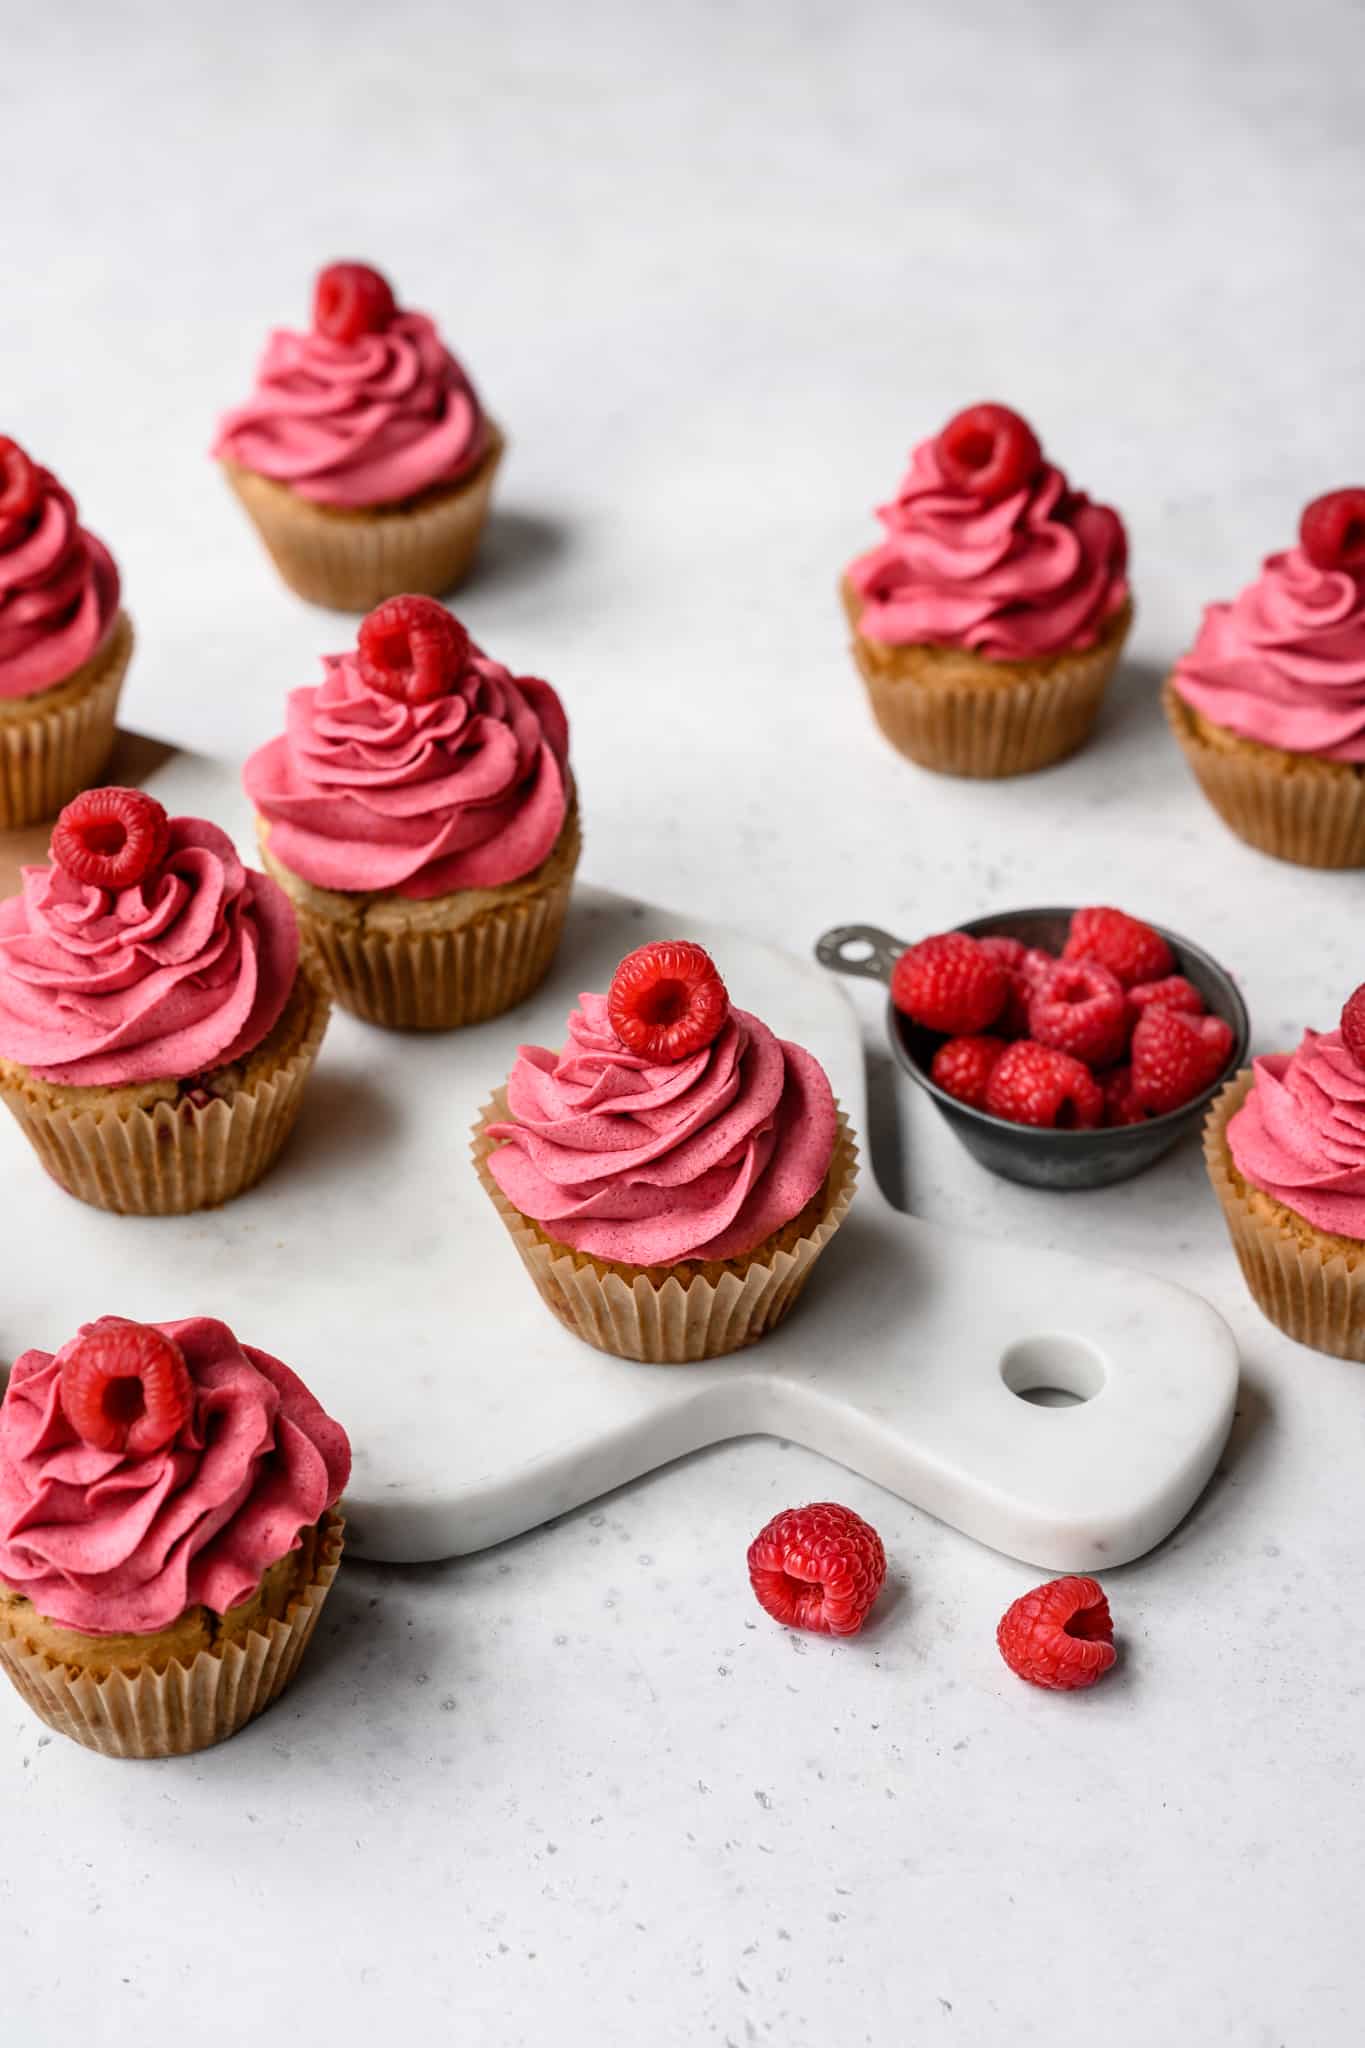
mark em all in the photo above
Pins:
pixel 64 644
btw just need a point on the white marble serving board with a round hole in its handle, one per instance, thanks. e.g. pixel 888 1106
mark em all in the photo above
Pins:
pixel 376 1265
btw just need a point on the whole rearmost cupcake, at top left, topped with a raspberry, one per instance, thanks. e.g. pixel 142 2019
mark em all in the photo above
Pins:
pixel 363 456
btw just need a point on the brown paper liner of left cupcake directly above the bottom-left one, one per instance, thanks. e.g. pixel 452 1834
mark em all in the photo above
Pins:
pixel 171 1158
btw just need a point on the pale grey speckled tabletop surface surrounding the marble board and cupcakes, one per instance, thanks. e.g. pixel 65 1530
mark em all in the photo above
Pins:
pixel 715 269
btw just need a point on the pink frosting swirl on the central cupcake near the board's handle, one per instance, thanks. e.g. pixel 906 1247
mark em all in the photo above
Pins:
pixel 652 1164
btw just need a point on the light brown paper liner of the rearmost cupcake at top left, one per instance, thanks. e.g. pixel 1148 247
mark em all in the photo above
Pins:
pixel 351 562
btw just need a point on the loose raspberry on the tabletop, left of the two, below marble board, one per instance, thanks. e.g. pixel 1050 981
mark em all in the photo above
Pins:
pixel 818 1568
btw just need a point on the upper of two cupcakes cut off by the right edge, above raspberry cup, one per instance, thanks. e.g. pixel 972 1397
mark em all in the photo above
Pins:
pixel 1270 703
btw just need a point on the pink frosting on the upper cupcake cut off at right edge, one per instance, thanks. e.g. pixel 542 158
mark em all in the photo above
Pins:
pixel 1286 660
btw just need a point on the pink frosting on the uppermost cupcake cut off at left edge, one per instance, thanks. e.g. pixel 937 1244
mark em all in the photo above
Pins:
pixel 58 595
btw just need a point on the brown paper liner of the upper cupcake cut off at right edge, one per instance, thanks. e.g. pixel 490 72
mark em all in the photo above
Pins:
pixel 1290 806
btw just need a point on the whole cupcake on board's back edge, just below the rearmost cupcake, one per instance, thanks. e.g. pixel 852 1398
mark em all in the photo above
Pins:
pixel 421 814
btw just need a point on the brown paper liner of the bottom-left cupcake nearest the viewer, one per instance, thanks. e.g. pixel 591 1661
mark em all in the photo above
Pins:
pixel 181 1709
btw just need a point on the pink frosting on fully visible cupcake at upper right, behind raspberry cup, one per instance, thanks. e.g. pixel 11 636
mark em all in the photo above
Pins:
pixel 1032 574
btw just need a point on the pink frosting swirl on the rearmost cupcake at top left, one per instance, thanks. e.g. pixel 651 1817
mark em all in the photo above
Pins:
pixel 359 423
